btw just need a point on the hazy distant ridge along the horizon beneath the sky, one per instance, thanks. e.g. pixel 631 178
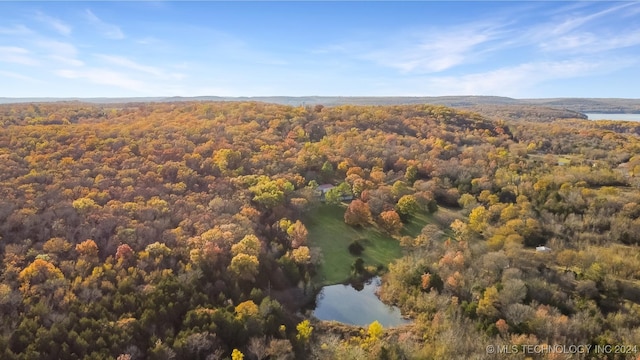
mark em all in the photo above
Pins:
pixel 582 105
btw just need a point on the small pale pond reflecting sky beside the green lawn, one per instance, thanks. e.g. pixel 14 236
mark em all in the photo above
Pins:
pixel 347 305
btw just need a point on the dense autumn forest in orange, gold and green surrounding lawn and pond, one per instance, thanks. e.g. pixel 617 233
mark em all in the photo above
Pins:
pixel 180 230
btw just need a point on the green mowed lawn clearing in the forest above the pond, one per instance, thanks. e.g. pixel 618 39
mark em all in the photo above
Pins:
pixel 328 231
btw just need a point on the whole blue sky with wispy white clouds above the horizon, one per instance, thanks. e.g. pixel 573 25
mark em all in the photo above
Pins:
pixel 507 48
